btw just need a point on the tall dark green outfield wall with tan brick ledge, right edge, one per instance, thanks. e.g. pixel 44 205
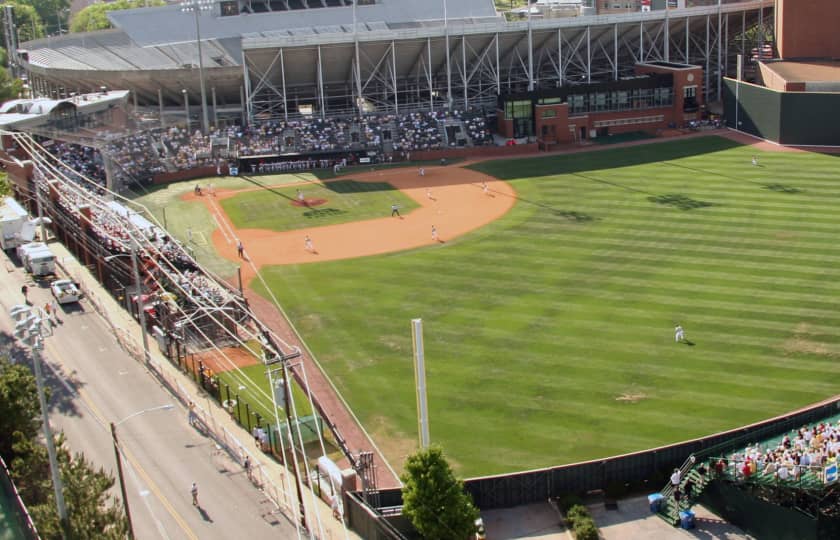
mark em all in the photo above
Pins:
pixel 797 105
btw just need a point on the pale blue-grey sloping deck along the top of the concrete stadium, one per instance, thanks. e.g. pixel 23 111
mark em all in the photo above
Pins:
pixel 169 24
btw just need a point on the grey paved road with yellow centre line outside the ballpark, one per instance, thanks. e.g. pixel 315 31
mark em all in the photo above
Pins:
pixel 94 383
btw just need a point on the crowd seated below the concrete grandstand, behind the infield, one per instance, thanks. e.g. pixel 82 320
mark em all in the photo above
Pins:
pixel 139 156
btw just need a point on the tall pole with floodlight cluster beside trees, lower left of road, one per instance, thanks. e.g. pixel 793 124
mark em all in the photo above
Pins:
pixel 28 330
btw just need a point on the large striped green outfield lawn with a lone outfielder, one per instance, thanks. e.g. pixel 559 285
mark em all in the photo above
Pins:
pixel 549 333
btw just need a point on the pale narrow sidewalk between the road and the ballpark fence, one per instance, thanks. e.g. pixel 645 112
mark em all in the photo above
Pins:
pixel 268 475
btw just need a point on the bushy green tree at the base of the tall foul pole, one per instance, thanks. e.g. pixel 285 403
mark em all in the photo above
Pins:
pixel 434 500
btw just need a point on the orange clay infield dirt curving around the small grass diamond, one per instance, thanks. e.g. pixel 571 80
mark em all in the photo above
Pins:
pixel 451 199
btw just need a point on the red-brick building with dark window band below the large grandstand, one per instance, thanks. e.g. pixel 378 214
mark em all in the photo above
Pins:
pixel 659 95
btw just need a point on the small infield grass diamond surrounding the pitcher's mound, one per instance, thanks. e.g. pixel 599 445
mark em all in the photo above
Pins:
pixel 346 200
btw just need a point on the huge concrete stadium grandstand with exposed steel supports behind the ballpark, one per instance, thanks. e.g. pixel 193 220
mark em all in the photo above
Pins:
pixel 329 58
